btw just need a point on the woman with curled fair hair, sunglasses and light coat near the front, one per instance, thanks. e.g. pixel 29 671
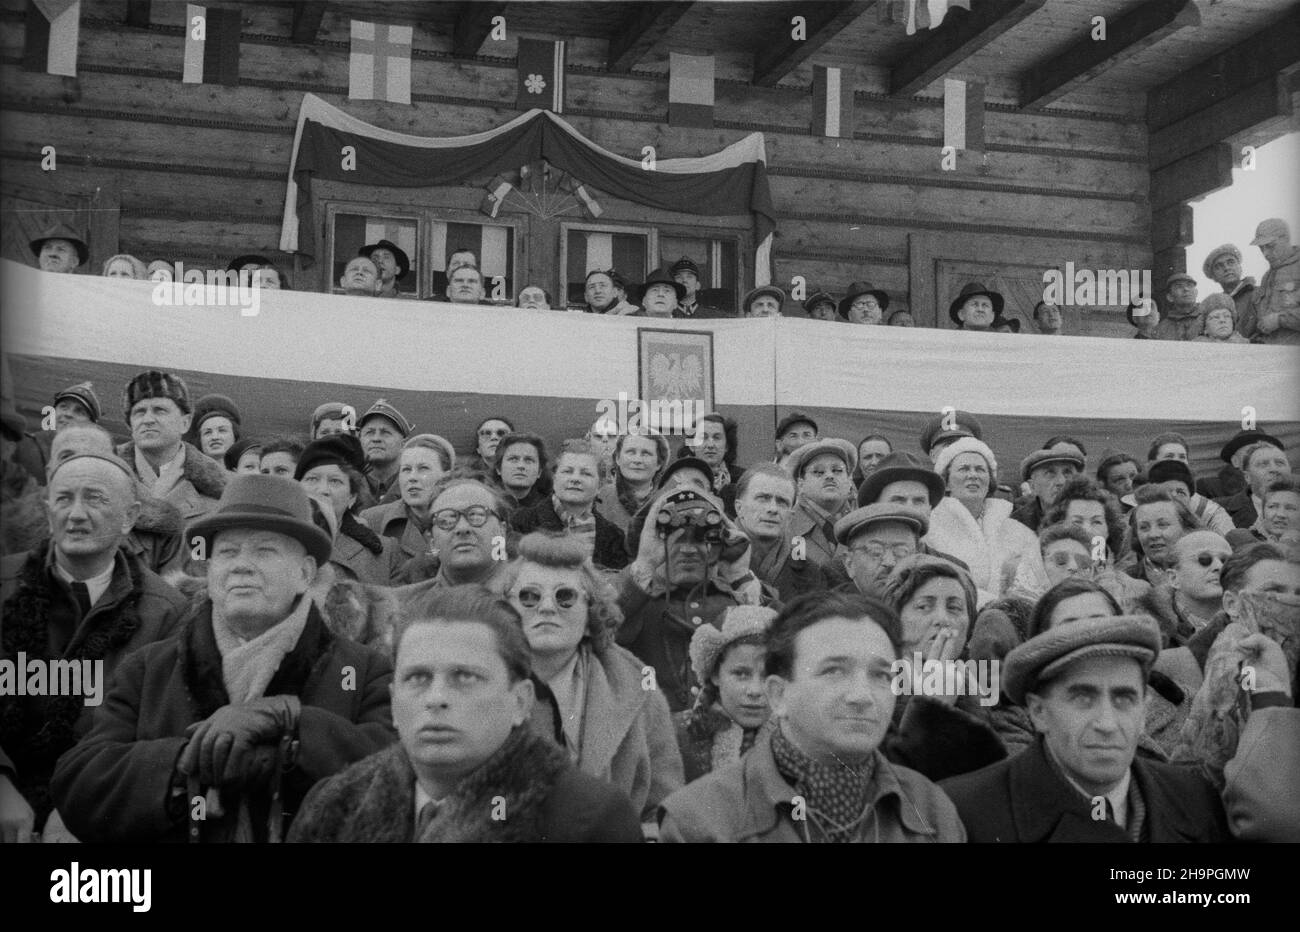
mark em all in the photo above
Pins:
pixel 599 710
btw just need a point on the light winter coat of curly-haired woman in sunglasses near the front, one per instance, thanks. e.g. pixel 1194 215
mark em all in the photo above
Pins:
pixel 627 736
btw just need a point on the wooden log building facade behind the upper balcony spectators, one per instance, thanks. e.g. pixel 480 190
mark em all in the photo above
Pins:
pixel 1091 149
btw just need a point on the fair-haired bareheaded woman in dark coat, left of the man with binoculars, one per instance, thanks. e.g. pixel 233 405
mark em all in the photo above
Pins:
pixel 579 474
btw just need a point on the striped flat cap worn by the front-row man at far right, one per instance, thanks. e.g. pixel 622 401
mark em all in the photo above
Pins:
pixel 1043 657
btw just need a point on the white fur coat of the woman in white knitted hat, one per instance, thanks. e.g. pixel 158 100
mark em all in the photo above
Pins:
pixel 989 547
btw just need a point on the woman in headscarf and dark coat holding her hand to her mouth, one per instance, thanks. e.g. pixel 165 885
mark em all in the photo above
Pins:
pixel 939 734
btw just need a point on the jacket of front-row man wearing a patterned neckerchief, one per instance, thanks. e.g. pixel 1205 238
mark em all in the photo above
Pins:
pixel 751 801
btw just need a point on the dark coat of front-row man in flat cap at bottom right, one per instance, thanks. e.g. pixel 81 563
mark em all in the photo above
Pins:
pixel 1026 800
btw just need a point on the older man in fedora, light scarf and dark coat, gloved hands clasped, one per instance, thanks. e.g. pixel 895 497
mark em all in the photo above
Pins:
pixel 219 734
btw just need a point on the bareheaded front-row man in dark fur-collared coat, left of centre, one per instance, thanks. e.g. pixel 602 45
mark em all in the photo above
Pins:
pixel 467 768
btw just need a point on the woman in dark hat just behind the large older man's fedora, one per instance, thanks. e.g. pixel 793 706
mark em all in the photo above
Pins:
pixel 331 471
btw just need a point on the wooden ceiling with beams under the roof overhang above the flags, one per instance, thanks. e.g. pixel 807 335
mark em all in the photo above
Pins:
pixel 1030 53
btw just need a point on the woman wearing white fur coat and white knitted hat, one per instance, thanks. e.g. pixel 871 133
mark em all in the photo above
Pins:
pixel 976 528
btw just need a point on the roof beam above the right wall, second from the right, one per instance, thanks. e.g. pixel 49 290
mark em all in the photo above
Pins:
pixel 1056 76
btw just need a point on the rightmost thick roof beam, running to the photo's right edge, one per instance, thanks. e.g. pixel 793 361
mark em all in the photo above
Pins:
pixel 1214 81
